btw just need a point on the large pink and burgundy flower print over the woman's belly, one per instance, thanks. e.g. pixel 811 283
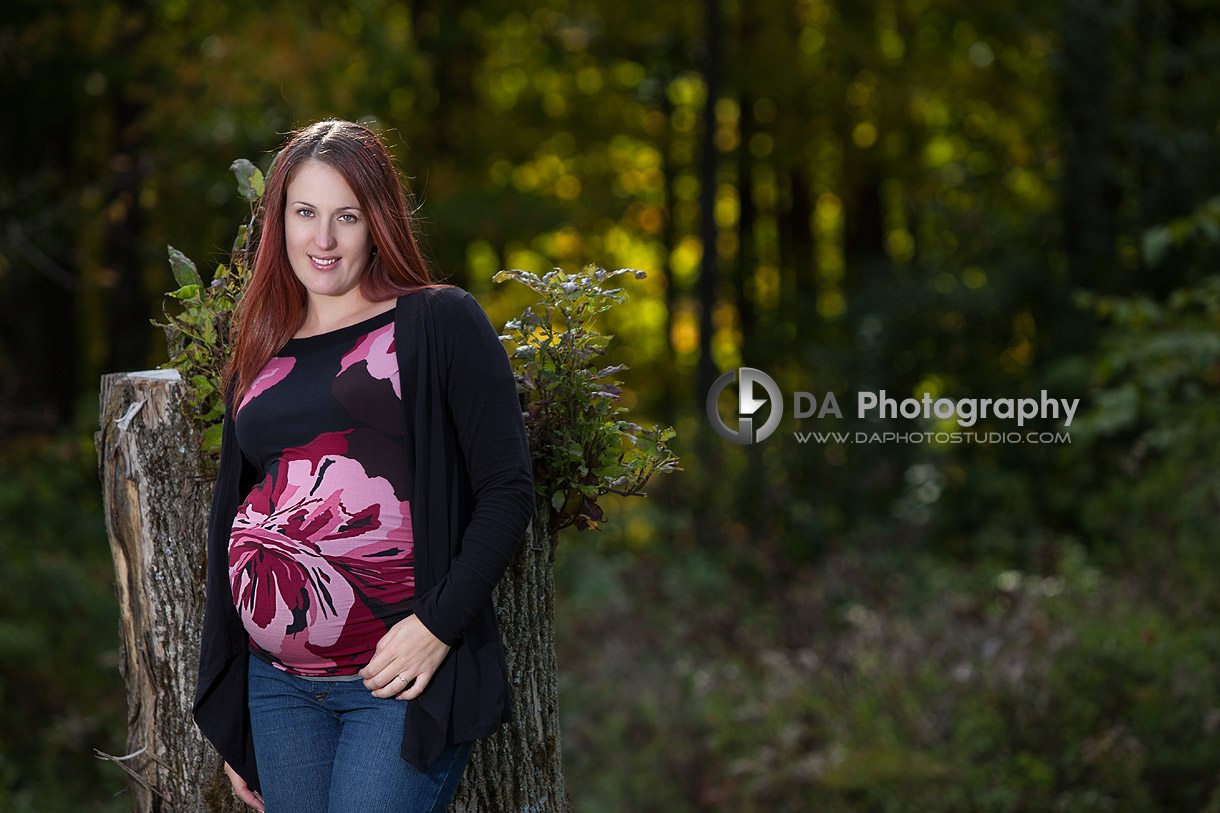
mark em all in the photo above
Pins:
pixel 315 552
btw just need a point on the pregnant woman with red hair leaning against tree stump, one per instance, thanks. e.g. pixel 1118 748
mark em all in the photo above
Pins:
pixel 374 485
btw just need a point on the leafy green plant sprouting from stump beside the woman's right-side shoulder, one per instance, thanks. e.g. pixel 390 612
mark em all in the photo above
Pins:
pixel 584 446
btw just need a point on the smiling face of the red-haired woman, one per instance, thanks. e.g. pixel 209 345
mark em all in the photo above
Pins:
pixel 326 233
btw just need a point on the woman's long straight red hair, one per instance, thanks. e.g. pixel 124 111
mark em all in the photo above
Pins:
pixel 274 305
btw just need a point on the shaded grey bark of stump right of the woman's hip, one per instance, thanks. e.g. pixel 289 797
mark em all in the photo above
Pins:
pixel 522 768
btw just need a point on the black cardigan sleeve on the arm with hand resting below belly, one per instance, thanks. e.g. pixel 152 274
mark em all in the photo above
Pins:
pixel 481 400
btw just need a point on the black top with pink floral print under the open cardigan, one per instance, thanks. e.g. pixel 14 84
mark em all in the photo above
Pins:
pixel 321 552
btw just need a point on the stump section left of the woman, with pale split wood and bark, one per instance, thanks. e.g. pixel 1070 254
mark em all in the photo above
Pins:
pixel 157 497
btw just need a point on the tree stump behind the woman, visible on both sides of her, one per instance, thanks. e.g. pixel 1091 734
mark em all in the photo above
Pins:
pixel 158 494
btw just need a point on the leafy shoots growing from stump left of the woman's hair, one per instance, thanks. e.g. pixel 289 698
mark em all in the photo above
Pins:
pixel 198 334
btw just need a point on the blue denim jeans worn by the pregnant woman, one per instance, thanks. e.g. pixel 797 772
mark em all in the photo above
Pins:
pixel 334 748
